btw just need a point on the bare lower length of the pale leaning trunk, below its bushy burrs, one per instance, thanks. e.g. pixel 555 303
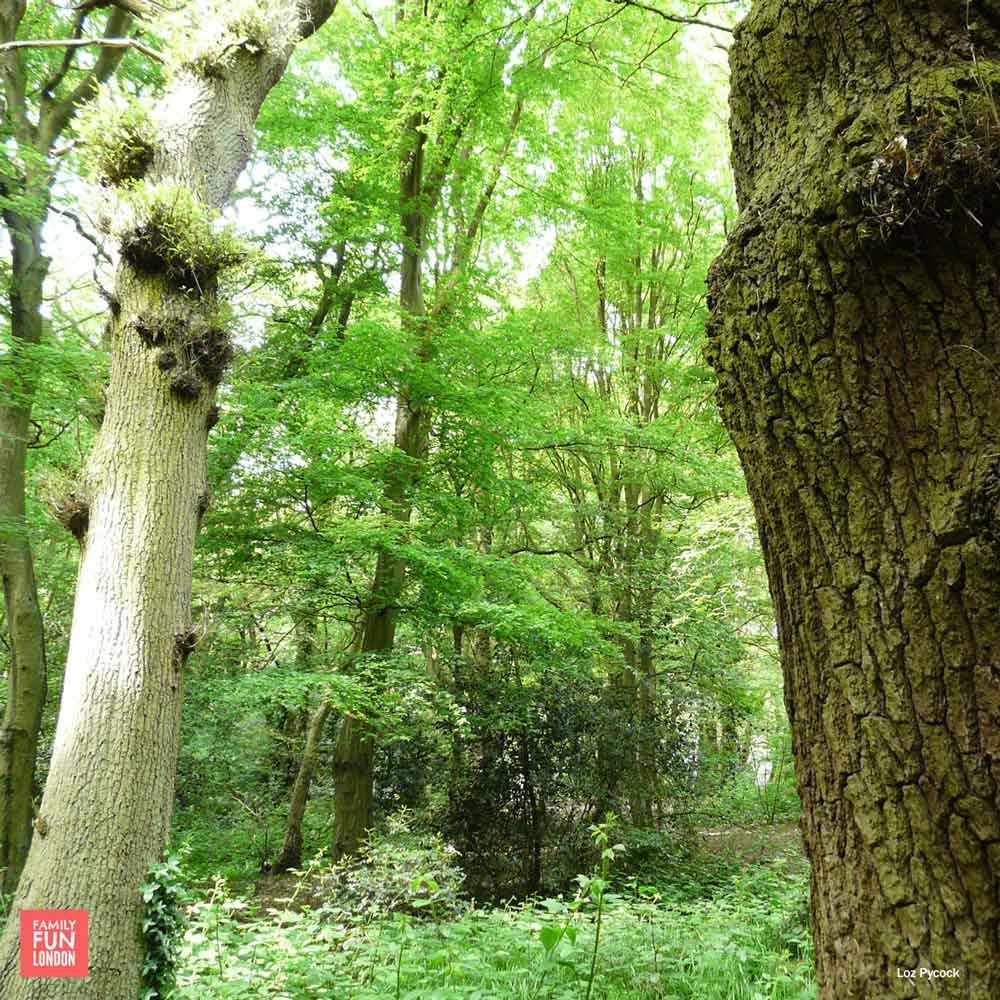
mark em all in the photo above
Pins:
pixel 106 807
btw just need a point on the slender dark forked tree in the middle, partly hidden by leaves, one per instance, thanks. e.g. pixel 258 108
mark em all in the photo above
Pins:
pixel 429 155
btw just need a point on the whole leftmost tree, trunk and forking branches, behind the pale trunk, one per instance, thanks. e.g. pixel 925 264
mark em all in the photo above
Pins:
pixel 38 105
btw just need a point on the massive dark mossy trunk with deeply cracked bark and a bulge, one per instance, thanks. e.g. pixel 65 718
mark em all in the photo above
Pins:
pixel 854 327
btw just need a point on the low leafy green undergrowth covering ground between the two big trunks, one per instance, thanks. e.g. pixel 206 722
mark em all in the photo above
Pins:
pixel 748 940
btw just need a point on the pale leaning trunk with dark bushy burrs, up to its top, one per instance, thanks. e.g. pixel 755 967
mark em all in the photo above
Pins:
pixel 106 808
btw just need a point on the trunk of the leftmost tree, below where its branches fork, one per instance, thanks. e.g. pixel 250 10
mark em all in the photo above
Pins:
pixel 27 680
